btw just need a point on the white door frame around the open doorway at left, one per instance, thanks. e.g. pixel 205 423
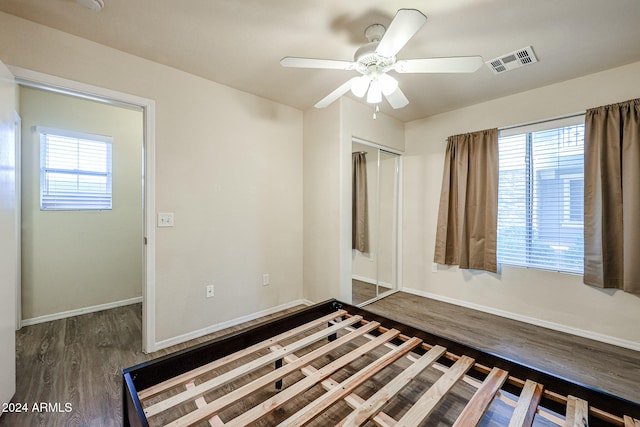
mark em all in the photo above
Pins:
pixel 96 93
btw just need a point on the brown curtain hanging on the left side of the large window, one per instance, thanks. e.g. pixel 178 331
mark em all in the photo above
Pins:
pixel 468 212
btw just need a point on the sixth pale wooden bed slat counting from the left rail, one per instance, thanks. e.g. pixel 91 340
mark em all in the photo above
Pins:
pixel 375 403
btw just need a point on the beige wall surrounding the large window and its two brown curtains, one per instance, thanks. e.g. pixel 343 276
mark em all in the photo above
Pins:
pixel 545 297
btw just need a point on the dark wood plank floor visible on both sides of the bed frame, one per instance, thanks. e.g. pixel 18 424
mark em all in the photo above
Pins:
pixel 78 361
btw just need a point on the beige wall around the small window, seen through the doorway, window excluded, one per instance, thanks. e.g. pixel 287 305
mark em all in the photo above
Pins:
pixel 77 259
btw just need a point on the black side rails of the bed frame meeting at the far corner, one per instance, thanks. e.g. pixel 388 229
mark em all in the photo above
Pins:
pixel 557 395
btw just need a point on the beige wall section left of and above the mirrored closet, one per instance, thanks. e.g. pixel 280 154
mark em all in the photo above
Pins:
pixel 328 135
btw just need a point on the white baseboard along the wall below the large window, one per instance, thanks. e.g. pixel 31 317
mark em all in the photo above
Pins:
pixel 531 320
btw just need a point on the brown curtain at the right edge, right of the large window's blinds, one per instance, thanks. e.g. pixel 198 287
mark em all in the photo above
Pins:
pixel 612 196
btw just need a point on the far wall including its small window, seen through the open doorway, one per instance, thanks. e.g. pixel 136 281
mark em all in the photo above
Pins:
pixel 82 211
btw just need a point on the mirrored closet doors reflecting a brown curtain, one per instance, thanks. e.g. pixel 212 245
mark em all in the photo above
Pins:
pixel 375 258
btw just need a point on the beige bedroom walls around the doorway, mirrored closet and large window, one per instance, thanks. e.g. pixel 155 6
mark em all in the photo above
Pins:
pixel 230 166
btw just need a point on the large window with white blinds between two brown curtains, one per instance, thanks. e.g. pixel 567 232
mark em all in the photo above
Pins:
pixel 541 196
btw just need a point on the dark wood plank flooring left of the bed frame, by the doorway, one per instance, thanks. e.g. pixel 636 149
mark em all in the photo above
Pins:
pixel 79 361
